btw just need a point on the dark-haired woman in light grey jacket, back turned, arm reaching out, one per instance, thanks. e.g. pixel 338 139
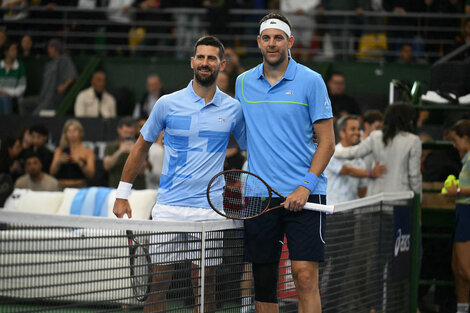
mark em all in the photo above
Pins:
pixel 396 147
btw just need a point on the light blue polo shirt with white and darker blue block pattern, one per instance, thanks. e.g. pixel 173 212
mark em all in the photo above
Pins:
pixel 196 138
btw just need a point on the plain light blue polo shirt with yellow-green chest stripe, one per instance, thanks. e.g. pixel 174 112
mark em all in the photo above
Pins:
pixel 279 122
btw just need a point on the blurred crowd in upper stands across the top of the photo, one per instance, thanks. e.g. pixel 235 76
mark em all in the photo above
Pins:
pixel 136 27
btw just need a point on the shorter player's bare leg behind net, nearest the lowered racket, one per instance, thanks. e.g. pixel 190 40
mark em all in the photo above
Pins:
pixel 156 302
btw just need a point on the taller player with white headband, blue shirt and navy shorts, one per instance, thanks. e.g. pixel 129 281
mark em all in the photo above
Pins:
pixel 285 104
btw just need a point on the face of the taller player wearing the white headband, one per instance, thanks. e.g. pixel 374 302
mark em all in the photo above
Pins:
pixel 274 45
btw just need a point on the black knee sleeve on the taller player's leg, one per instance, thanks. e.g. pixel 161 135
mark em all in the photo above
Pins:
pixel 265 278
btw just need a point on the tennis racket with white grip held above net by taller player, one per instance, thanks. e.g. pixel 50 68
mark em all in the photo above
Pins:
pixel 242 195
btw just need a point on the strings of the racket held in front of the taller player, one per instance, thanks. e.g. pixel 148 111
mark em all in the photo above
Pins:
pixel 244 195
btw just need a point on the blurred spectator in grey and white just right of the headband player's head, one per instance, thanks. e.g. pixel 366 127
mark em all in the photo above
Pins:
pixel 298 13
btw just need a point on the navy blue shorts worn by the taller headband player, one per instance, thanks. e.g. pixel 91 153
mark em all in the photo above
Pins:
pixel 304 230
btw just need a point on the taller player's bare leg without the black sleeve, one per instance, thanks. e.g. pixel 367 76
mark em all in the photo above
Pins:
pixel 305 275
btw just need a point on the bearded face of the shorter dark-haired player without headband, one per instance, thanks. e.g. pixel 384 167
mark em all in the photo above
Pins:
pixel 206 65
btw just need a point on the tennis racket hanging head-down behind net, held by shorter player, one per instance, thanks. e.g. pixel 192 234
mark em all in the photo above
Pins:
pixel 140 266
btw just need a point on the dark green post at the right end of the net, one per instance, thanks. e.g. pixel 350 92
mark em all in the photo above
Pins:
pixel 415 245
